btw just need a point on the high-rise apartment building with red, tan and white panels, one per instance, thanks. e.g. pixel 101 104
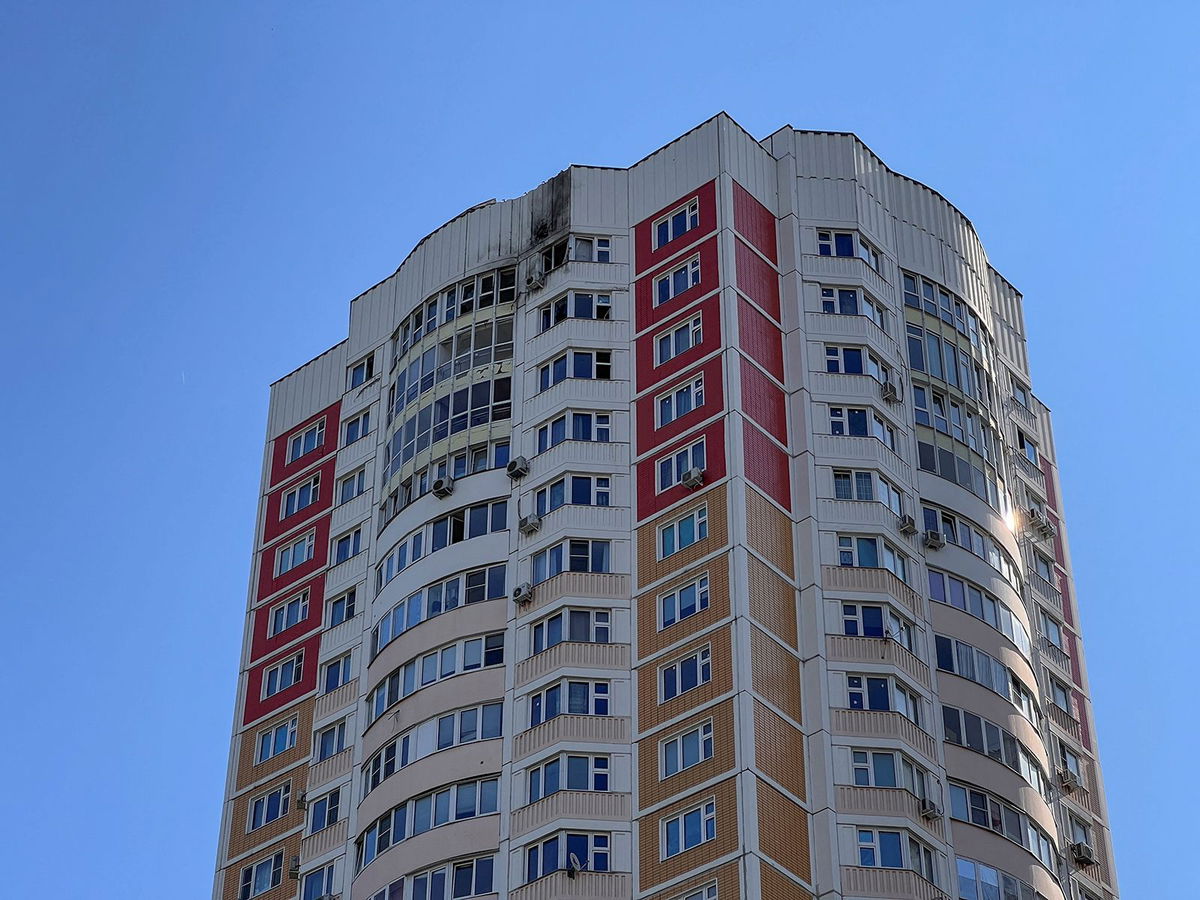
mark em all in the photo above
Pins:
pixel 685 531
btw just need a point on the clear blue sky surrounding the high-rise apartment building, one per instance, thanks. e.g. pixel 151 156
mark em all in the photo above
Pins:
pixel 191 194
